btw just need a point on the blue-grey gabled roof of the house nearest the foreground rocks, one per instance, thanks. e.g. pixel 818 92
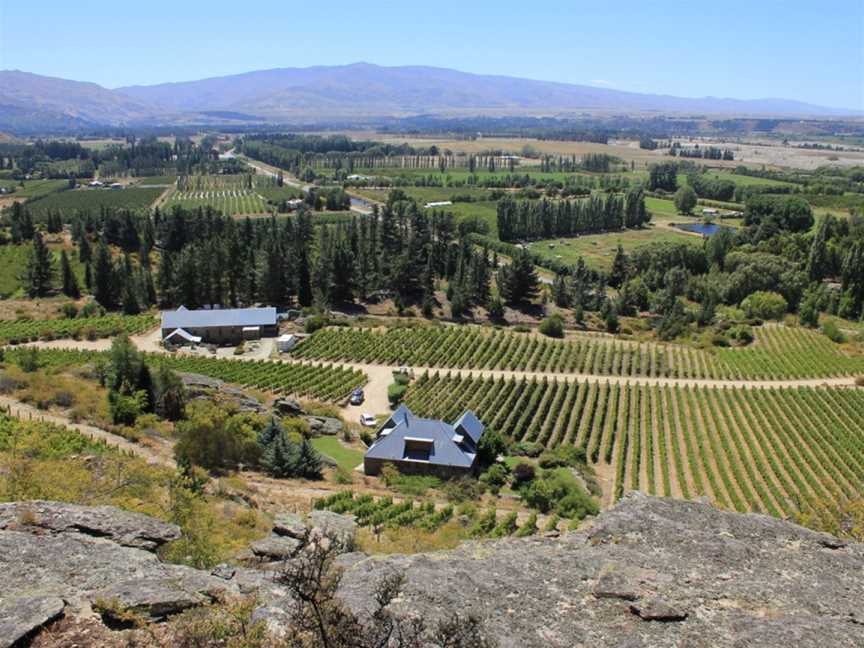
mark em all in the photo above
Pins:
pixel 446 451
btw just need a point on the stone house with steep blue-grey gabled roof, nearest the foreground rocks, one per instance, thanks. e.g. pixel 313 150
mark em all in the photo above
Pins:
pixel 416 445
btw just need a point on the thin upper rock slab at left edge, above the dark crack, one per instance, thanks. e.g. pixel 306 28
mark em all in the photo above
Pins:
pixel 124 528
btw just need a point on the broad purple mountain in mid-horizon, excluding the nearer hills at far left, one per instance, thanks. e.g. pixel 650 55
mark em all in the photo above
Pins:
pixel 362 88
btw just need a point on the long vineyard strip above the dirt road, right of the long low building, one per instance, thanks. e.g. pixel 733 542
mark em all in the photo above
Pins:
pixel 778 353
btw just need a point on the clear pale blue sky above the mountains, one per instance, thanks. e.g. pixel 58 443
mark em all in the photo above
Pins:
pixel 810 51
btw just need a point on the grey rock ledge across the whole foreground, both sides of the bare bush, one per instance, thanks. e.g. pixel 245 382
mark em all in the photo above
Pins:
pixel 650 572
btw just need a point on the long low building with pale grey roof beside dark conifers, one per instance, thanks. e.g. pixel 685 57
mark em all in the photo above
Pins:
pixel 218 326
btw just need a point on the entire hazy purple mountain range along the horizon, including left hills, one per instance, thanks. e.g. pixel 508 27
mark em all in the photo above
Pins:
pixel 356 91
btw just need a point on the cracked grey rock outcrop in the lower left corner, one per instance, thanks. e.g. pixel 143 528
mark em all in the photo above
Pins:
pixel 86 554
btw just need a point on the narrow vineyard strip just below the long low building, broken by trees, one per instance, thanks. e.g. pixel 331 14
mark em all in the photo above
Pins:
pixel 318 381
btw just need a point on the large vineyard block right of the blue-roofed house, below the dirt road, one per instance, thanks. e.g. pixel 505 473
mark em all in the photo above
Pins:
pixel 778 451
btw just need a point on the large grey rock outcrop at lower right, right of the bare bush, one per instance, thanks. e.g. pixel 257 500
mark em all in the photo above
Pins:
pixel 649 572
